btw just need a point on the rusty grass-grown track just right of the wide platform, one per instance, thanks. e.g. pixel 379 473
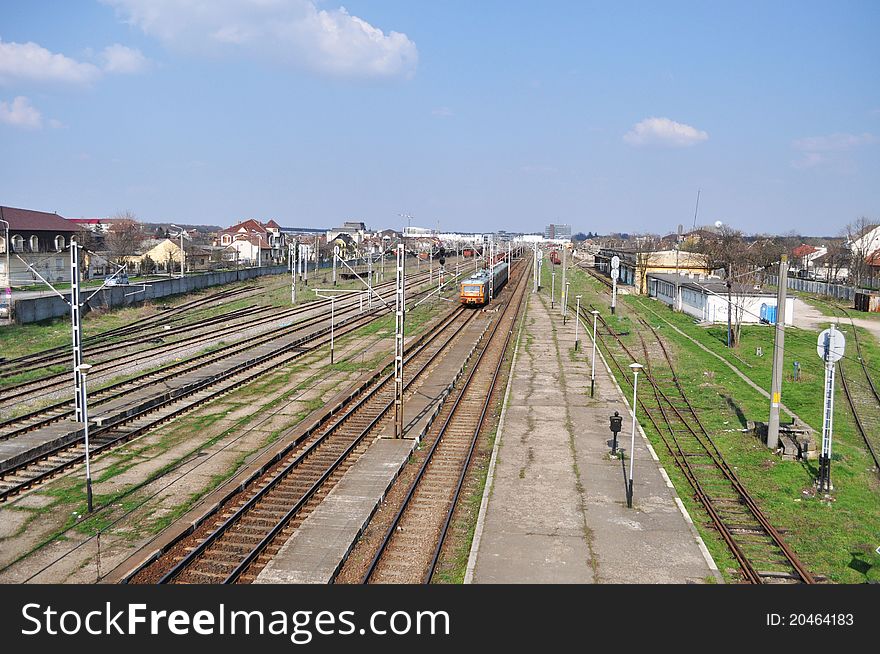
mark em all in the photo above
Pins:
pixel 758 547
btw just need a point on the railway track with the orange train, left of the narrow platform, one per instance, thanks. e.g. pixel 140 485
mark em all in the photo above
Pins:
pixel 249 525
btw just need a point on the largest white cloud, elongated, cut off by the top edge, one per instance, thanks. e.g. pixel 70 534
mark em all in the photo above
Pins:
pixel 290 32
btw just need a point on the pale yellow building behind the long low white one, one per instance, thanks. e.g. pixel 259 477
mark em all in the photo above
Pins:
pixel 635 265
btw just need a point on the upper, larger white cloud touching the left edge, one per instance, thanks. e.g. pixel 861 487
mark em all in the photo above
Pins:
pixel 32 62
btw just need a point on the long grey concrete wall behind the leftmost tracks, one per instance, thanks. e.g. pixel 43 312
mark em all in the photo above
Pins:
pixel 44 308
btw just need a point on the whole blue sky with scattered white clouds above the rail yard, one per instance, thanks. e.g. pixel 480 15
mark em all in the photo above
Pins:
pixel 470 116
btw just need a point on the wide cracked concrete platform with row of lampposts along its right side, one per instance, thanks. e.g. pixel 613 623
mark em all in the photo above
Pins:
pixel 555 510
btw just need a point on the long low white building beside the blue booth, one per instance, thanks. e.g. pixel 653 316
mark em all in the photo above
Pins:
pixel 706 299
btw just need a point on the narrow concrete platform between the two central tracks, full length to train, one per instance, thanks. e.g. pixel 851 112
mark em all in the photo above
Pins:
pixel 316 551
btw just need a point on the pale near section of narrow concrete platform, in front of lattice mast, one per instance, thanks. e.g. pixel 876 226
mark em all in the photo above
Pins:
pixel 314 553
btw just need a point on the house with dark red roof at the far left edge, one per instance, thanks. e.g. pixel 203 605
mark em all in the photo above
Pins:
pixel 41 239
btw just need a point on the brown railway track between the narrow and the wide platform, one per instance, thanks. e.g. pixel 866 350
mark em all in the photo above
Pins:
pixel 410 548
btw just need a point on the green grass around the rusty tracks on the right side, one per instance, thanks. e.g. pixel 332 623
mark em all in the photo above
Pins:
pixel 834 538
